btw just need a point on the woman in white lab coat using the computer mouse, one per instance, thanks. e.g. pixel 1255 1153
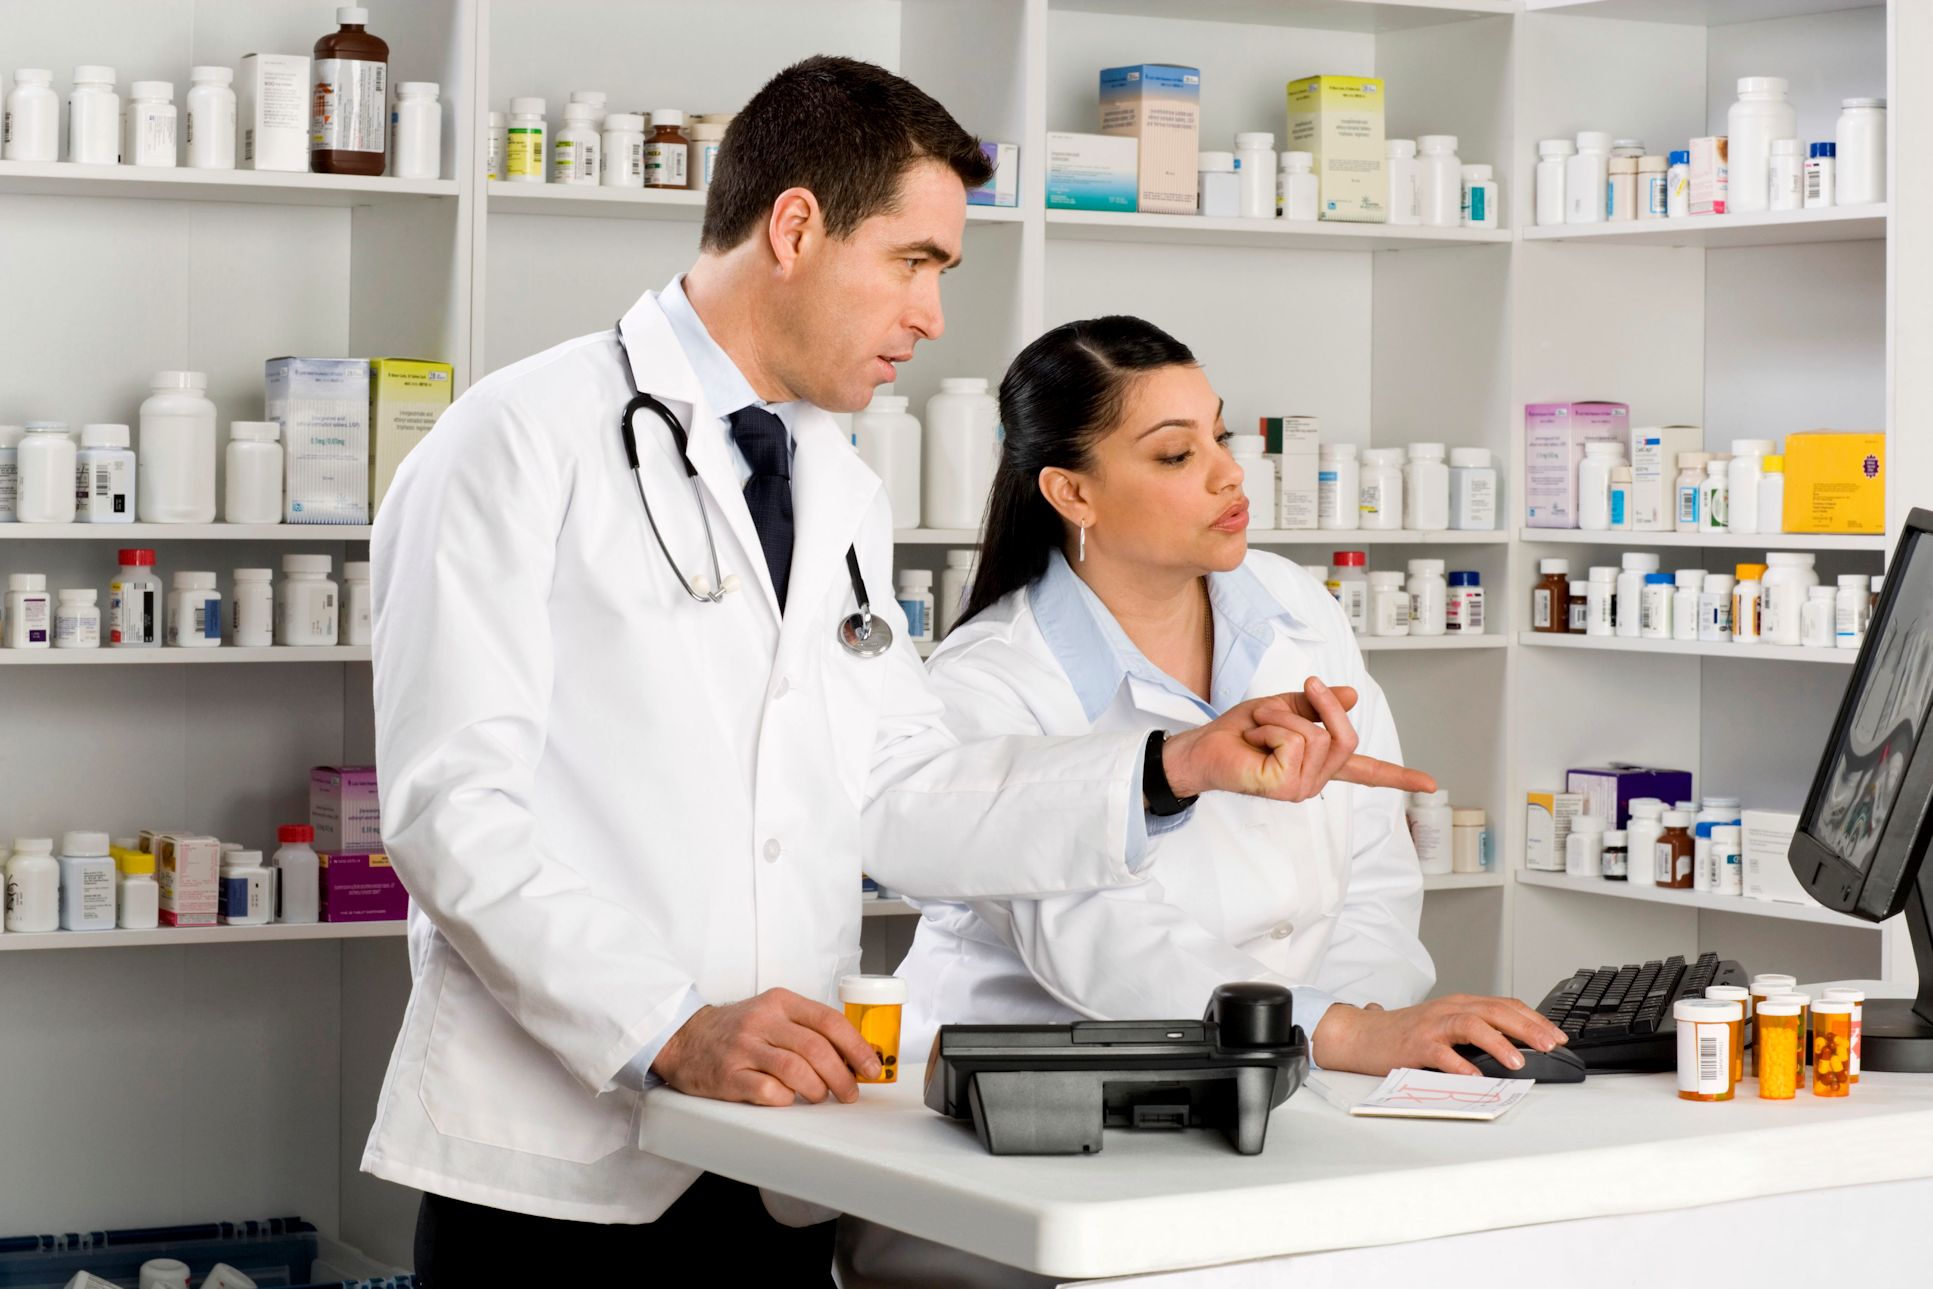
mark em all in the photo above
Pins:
pixel 1116 590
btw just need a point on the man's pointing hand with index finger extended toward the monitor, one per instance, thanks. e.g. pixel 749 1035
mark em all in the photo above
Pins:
pixel 1286 747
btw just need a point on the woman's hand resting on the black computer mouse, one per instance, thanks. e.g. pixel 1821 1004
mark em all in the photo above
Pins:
pixel 1368 1041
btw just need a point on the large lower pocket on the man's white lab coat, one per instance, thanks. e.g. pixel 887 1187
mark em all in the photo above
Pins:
pixel 492 1083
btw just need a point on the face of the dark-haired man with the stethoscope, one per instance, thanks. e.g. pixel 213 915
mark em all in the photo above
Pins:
pixel 853 310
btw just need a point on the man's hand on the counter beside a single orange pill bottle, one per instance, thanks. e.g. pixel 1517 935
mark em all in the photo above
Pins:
pixel 766 1050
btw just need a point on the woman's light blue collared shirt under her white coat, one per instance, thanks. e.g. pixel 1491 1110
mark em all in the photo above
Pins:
pixel 1099 660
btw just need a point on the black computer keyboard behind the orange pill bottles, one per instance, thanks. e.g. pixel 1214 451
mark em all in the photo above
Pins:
pixel 1621 1017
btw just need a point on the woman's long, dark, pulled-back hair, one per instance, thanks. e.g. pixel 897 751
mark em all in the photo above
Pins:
pixel 1058 399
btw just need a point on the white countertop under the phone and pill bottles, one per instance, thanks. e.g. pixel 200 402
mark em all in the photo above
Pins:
pixel 1167 1201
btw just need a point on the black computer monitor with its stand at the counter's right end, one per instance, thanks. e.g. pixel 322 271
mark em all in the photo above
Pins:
pixel 1868 820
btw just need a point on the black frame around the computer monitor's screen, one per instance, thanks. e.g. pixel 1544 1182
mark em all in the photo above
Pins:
pixel 1884 888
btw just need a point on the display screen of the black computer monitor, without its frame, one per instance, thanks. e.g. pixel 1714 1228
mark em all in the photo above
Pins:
pixel 1868 764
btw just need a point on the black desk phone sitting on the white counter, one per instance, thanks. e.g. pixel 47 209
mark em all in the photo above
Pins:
pixel 1051 1089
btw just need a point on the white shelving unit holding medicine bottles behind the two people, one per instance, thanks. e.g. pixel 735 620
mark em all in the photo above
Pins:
pixel 1387 335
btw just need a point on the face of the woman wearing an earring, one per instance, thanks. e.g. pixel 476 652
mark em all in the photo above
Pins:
pixel 1165 490
